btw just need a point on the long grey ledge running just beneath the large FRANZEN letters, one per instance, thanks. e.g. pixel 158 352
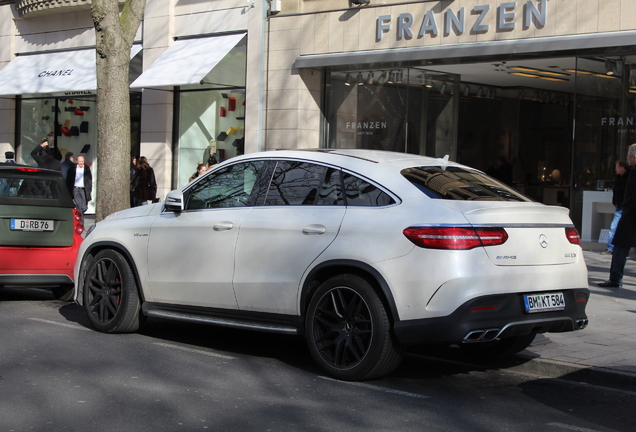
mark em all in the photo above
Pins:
pixel 476 49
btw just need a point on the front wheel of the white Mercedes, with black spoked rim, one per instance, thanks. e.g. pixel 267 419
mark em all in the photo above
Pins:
pixel 110 294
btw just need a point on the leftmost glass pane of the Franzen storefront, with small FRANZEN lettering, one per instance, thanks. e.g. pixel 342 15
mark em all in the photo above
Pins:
pixel 408 110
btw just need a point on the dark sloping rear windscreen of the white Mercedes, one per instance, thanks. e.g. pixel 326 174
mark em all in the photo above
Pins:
pixel 457 183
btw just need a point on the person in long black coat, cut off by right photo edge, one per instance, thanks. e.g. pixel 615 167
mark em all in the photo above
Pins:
pixel 625 236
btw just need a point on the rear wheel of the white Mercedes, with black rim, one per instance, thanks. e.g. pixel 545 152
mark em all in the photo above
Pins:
pixel 349 331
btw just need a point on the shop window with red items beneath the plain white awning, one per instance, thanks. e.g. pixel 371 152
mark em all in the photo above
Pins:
pixel 211 116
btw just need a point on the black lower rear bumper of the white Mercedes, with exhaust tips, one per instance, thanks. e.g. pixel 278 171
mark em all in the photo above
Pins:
pixel 474 321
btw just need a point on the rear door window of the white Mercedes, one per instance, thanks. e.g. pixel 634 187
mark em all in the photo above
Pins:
pixel 296 183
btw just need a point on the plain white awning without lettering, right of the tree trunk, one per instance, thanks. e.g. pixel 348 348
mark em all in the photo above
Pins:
pixel 187 61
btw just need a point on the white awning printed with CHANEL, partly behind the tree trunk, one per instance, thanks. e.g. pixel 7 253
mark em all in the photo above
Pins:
pixel 52 72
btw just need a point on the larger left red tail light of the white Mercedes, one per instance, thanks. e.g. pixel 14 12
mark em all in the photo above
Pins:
pixel 455 238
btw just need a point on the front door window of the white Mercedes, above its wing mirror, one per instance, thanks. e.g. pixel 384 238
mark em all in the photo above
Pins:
pixel 232 186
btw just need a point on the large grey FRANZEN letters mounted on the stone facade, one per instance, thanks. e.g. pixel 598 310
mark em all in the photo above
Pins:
pixel 535 12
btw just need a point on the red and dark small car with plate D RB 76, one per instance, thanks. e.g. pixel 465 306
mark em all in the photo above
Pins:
pixel 40 229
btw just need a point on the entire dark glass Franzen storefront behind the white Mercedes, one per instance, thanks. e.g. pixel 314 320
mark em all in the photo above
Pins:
pixel 561 136
